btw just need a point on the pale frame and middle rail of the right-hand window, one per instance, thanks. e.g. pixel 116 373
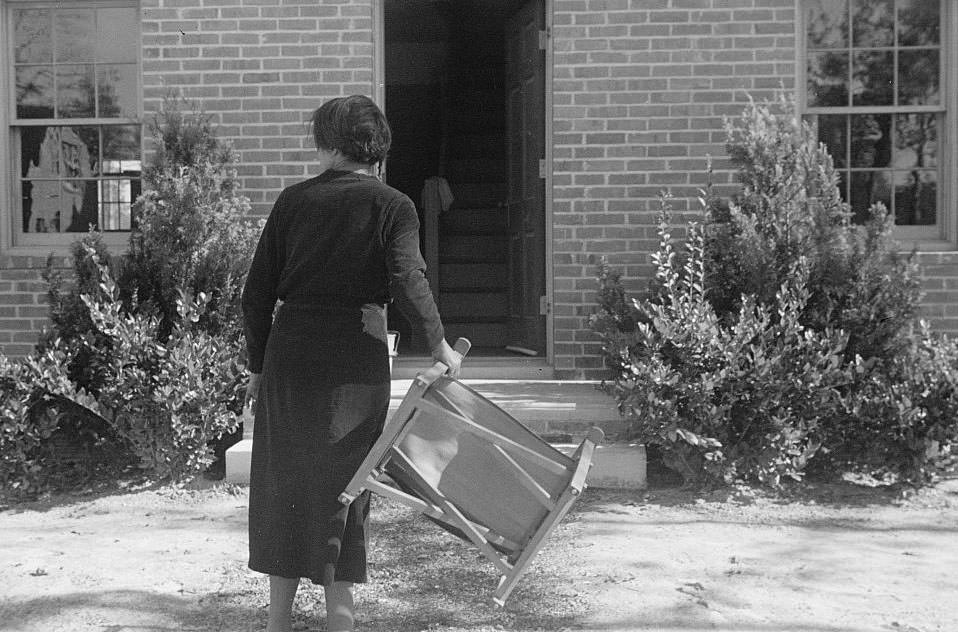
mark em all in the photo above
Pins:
pixel 944 236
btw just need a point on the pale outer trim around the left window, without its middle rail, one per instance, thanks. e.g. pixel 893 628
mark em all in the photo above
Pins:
pixel 12 241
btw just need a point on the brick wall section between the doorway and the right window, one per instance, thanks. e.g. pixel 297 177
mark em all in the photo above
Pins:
pixel 640 90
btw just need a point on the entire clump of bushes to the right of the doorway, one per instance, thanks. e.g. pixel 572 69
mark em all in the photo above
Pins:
pixel 785 337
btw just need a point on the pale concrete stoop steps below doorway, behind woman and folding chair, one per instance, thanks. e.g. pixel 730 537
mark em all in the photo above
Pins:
pixel 560 411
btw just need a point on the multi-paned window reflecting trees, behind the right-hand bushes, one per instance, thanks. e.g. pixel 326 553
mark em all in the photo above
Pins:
pixel 874 90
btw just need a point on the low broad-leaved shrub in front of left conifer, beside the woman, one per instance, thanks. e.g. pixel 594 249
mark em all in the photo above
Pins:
pixel 168 396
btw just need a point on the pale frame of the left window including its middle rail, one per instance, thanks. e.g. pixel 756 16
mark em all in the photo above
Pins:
pixel 12 238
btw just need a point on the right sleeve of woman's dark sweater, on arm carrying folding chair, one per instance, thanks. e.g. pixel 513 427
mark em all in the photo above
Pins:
pixel 406 269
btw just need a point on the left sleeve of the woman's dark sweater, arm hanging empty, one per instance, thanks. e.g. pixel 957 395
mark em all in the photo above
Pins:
pixel 260 290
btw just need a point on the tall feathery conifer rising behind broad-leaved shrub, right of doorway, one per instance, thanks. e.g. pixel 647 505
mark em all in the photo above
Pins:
pixel 790 208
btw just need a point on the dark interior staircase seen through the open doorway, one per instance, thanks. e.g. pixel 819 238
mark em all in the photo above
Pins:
pixel 473 265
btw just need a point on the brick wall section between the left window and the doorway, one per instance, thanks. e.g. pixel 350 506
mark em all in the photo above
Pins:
pixel 259 68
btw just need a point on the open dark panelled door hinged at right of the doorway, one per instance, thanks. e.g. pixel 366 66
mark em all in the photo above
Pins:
pixel 525 201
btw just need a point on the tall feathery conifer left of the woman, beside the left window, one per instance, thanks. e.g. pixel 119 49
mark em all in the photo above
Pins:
pixel 192 230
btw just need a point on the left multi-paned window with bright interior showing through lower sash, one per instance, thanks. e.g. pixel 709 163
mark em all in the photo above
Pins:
pixel 75 131
